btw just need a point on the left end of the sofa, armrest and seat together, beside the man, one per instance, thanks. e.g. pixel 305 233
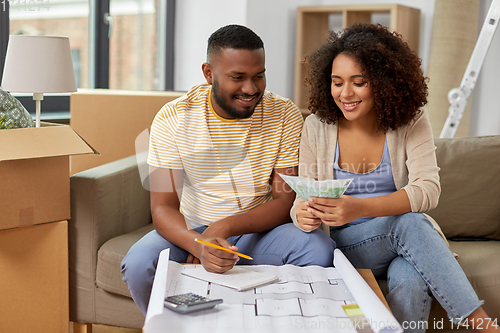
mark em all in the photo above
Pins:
pixel 110 211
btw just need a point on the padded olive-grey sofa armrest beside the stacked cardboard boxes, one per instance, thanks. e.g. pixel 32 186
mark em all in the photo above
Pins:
pixel 106 201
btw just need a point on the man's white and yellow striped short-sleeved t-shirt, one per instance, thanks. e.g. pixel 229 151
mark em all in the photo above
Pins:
pixel 227 163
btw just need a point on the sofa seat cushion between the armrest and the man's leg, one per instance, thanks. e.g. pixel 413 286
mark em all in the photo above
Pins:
pixel 109 258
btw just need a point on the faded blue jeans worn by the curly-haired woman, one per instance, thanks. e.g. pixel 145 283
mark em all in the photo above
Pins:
pixel 417 263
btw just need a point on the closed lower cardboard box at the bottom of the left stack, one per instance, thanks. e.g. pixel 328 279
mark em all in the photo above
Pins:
pixel 34 278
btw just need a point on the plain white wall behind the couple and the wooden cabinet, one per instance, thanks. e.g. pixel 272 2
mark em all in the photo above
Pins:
pixel 274 21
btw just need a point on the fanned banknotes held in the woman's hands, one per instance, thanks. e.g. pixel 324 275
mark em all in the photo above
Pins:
pixel 307 187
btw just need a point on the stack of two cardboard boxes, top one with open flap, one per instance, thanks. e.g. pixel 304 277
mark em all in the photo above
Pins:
pixel 35 207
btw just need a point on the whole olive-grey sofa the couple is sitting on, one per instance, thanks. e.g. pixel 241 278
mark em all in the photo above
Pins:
pixel 110 212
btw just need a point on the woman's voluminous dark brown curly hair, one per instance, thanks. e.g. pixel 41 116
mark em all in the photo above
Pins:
pixel 390 67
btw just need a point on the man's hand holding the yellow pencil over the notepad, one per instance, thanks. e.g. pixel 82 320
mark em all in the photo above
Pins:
pixel 215 260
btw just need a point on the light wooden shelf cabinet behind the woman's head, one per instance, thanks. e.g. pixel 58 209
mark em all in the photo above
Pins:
pixel 314 22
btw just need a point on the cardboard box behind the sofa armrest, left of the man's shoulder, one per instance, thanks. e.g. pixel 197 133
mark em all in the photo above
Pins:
pixel 111 120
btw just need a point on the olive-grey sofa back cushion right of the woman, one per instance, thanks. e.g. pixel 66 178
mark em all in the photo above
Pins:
pixel 469 205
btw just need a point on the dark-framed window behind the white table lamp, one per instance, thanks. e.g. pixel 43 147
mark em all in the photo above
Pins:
pixel 127 47
